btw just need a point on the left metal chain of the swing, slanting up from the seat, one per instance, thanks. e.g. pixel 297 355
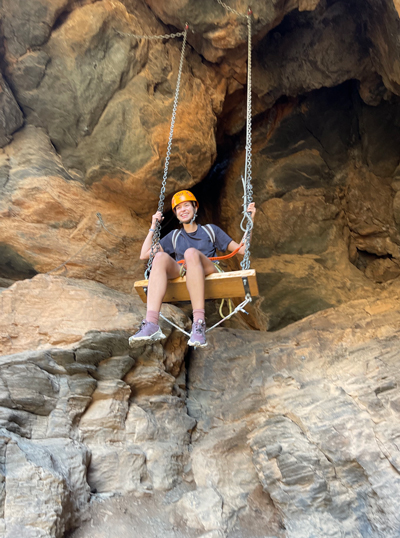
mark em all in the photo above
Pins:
pixel 155 245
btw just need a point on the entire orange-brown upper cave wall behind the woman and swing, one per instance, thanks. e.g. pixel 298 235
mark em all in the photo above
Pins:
pixel 86 122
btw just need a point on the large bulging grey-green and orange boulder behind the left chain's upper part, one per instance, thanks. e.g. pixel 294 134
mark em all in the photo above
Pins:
pixel 83 85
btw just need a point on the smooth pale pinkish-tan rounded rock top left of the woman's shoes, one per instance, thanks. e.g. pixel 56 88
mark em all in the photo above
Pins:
pixel 49 311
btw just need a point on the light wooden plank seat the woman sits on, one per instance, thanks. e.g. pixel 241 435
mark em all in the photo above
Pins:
pixel 217 286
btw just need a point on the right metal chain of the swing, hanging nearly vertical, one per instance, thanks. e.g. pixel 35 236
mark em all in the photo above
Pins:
pixel 247 181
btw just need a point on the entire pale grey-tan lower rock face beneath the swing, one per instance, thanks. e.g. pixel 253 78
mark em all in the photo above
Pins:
pixel 295 430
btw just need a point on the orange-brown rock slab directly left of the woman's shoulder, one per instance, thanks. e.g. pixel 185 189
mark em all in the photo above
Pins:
pixel 48 219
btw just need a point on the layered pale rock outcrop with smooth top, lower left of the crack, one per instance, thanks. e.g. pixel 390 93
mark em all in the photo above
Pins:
pixel 82 411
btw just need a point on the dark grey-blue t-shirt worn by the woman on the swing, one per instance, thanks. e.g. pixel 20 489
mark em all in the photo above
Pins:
pixel 198 239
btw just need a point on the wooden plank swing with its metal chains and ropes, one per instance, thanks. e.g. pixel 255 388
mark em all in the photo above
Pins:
pixel 247 276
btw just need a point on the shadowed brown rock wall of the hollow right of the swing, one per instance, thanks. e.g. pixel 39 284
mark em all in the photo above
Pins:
pixel 326 230
